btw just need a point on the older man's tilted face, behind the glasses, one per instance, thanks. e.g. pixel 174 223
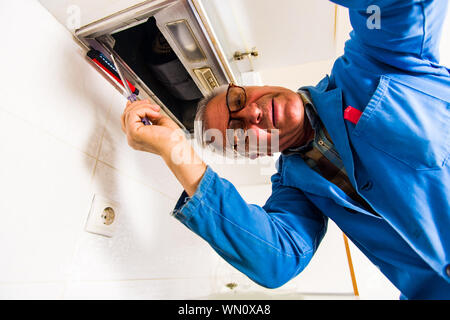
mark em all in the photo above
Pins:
pixel 269 113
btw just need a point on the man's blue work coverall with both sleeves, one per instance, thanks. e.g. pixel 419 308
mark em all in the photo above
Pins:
pixel 396 157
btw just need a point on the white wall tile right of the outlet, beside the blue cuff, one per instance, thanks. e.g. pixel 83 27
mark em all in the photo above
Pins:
pixel 148 243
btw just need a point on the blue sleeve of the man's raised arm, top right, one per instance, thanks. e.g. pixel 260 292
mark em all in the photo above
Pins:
pixel 404 27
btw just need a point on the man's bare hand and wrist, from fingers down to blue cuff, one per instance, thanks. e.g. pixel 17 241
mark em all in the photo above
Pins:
pixel 165 138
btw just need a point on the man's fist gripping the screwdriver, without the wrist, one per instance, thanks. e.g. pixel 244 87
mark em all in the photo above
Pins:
pixel 158 138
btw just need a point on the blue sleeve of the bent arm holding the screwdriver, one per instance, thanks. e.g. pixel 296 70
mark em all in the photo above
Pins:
pixel 270 244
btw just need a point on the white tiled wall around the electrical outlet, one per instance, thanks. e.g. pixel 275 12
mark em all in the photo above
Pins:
pixel 61 144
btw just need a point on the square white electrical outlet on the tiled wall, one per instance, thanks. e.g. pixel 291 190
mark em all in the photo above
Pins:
pixel 102 217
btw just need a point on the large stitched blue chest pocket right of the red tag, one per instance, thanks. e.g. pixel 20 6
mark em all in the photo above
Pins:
pixel 407 124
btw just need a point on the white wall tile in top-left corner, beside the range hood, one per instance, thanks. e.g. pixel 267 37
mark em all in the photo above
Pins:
pixel 47 80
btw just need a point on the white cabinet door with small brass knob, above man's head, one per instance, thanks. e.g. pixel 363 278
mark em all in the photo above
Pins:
pixel 283 33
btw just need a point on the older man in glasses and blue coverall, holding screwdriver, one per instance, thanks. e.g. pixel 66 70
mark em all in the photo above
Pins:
pixel 368 147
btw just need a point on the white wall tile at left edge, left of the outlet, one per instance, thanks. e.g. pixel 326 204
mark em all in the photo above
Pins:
pixel 44 190
